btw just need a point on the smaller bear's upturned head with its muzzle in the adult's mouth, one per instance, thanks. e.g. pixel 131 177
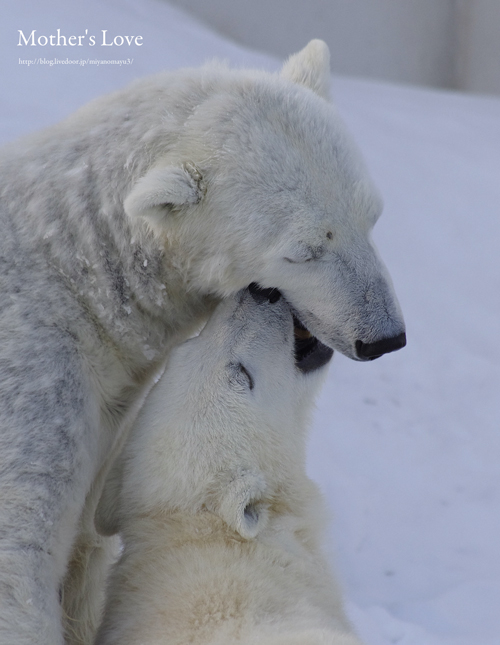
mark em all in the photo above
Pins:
pixel 223 430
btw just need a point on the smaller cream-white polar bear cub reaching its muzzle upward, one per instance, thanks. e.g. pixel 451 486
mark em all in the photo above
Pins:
pixel 220 523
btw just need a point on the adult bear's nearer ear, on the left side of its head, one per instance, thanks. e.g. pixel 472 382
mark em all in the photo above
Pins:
pixel 163 189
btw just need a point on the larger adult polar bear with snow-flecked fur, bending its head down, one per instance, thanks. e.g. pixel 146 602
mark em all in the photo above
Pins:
pixel 122 227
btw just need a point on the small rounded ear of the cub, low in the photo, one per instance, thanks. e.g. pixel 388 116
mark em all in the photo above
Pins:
pixel 241 504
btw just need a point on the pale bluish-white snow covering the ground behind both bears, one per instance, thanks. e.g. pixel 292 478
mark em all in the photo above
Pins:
pixel 406 448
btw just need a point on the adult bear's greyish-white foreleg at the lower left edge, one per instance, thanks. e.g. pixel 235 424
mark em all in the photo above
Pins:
pixel 49 446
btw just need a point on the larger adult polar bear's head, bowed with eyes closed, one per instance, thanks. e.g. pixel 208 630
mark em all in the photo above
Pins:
pixel 264 185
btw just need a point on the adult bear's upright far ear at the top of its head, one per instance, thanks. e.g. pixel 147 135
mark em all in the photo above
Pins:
pixel 310 67
